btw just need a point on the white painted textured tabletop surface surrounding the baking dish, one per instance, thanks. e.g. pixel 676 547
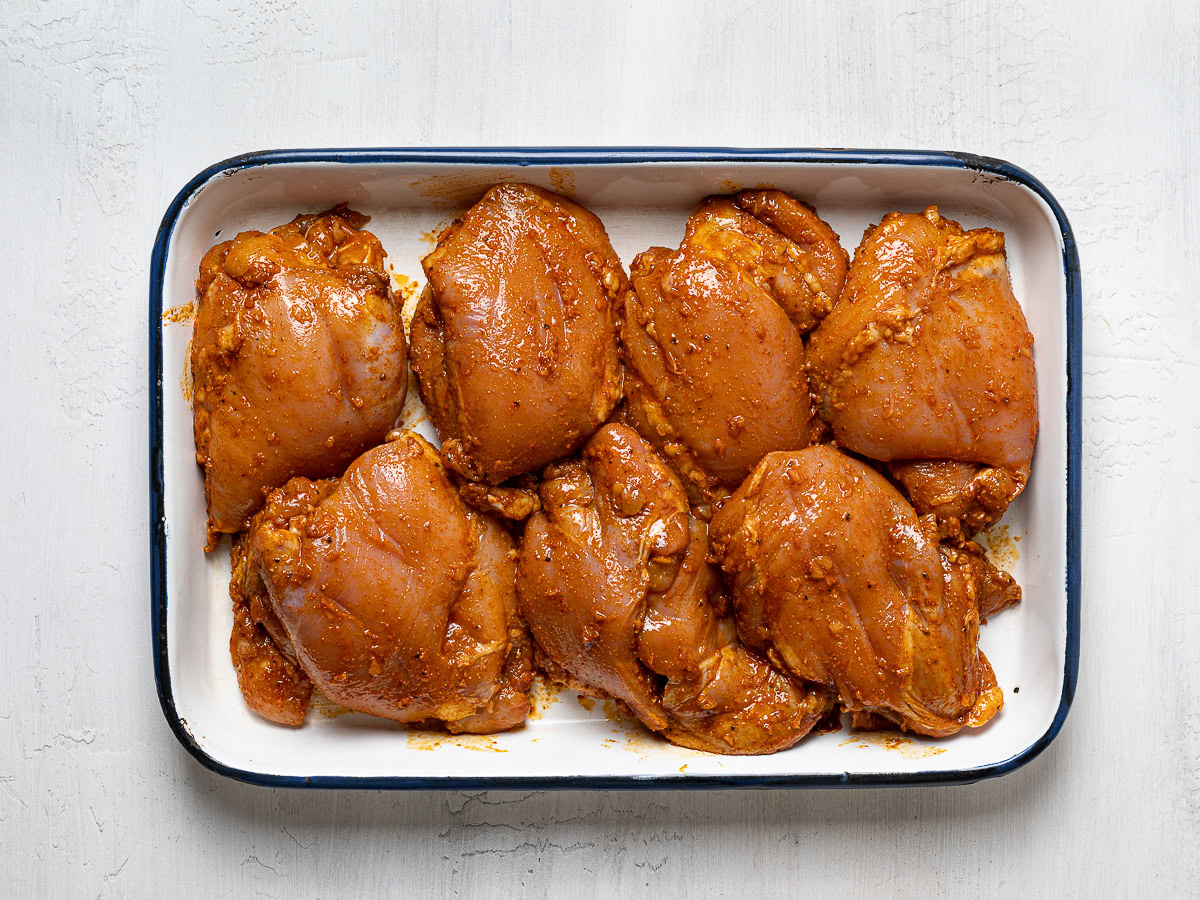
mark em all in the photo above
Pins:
pixel 107 109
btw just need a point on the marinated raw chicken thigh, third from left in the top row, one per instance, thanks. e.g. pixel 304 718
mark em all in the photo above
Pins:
pixel 712 337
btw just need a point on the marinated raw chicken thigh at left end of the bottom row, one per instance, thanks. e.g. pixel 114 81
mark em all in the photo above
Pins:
pixel 388 592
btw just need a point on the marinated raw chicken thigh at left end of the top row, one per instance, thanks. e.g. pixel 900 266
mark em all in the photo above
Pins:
pixel 298 359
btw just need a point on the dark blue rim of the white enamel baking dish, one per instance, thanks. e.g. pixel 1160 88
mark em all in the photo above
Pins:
pixel 601 157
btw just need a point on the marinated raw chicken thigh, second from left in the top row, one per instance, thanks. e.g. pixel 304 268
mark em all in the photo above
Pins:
pixel 515 340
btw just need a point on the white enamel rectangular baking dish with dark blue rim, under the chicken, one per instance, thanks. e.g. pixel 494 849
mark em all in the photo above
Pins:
pixel 644 197
